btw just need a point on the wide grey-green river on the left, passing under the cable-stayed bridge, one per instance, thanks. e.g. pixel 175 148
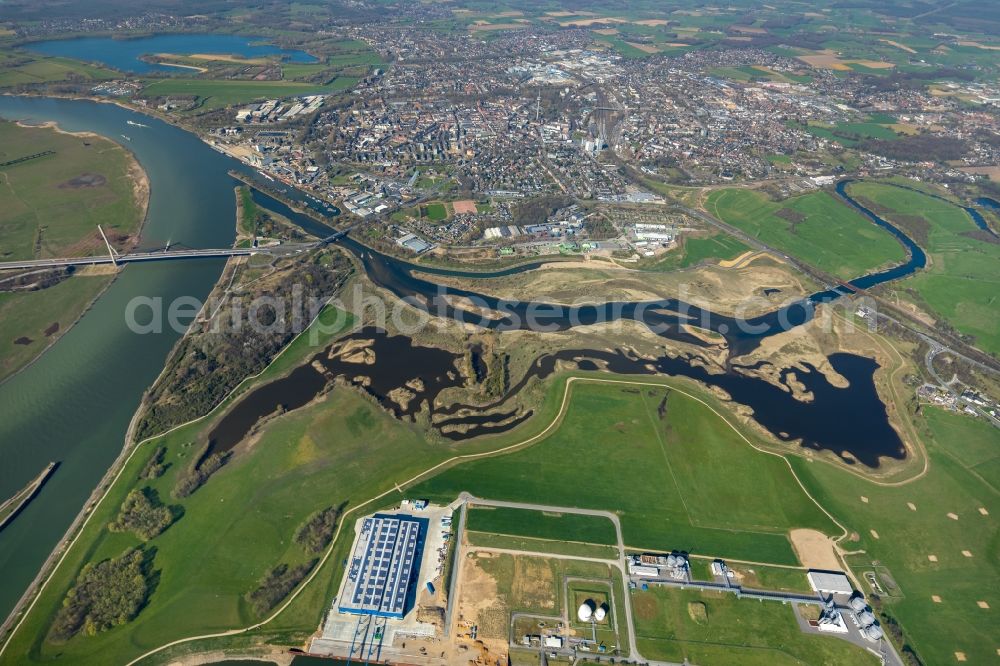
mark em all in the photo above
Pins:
pixel 74 403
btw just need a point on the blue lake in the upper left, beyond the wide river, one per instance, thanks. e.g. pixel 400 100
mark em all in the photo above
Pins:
pixel 125 54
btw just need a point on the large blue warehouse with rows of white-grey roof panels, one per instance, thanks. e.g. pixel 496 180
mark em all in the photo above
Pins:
pixel 385 564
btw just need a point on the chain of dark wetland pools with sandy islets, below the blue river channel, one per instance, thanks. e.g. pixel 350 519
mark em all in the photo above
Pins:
pixel 396 362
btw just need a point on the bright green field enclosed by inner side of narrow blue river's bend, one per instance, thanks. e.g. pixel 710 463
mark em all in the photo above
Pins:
pixel 816 228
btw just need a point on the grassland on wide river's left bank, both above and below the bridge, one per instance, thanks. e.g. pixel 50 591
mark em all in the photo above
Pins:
pixel 50 206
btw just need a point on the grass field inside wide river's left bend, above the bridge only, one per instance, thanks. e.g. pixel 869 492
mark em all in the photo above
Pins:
pixel 52 205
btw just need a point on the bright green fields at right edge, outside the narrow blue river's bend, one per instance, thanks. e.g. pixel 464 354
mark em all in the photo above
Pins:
pixel 962 283
